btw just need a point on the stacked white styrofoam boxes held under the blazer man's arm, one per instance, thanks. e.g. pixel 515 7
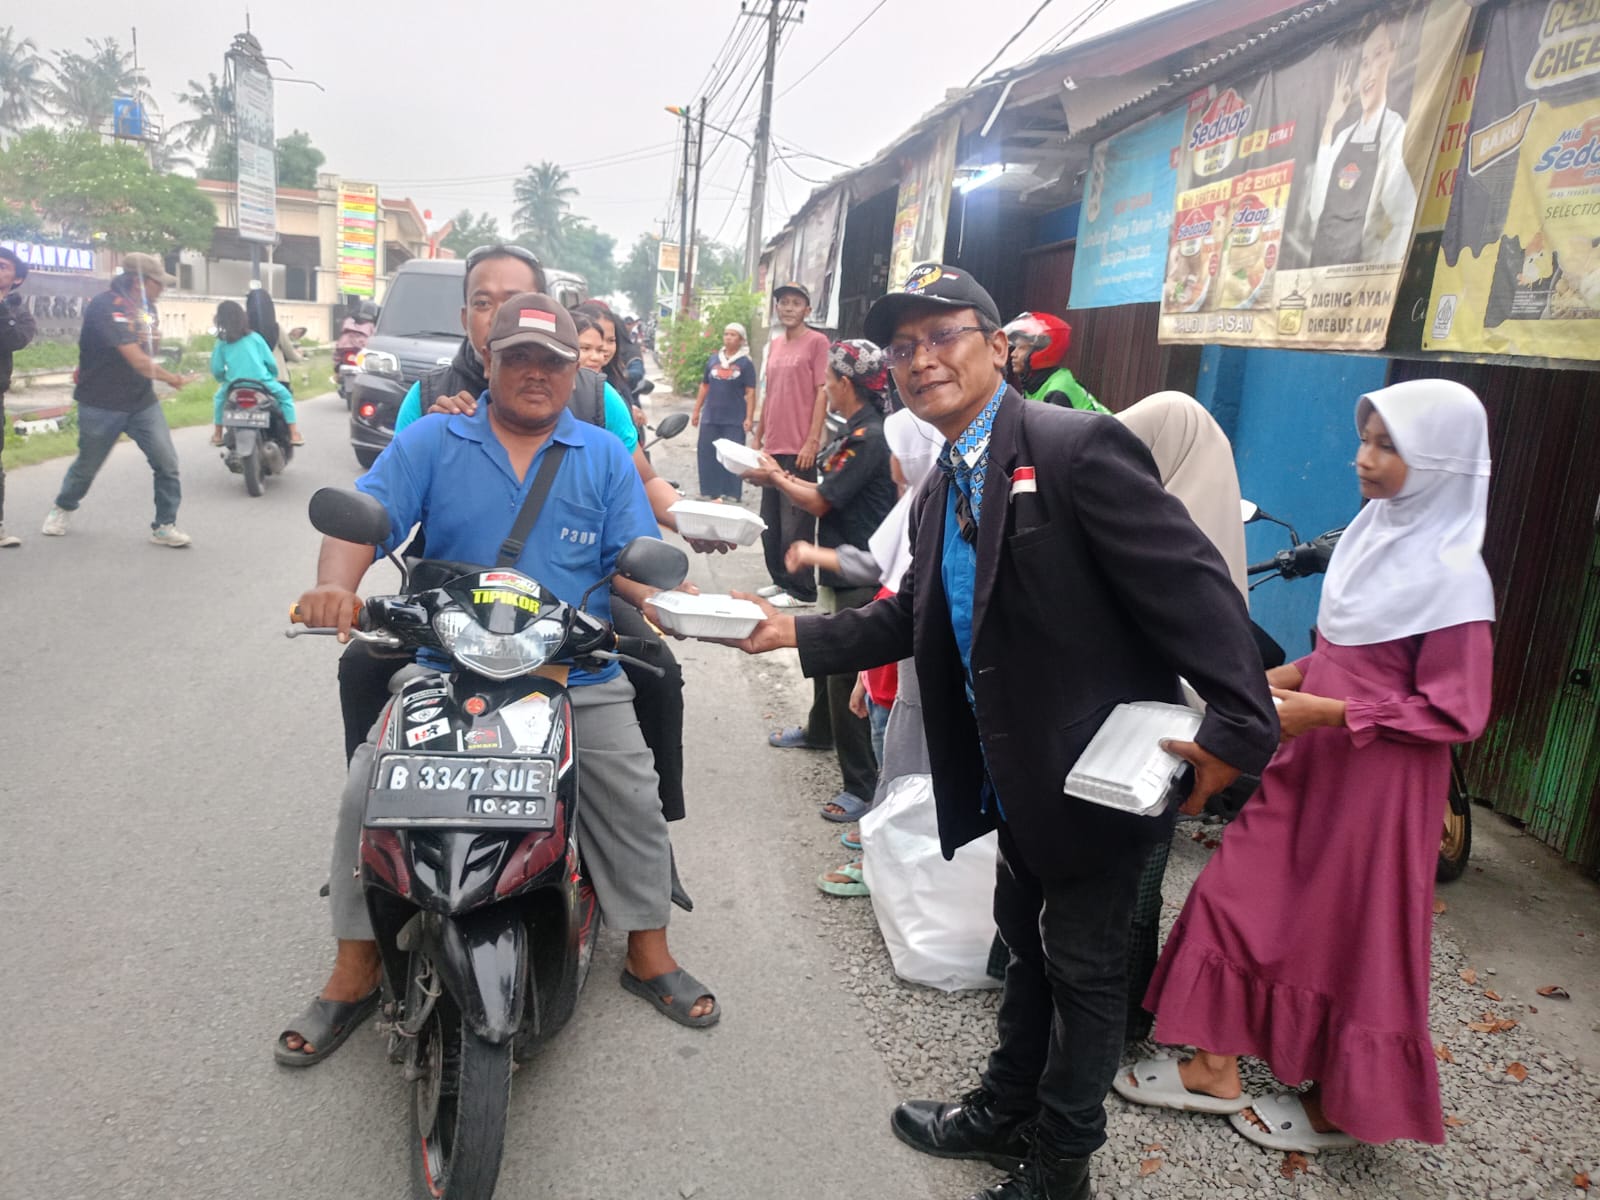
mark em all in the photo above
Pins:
pixel 1126 766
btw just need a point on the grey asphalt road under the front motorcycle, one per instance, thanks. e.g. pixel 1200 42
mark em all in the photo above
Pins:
pixel 169 783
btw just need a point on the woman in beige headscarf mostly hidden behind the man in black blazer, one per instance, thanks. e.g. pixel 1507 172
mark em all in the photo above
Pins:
pixel 1196 463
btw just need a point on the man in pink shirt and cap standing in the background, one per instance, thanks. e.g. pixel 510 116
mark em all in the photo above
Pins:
pixel 791 431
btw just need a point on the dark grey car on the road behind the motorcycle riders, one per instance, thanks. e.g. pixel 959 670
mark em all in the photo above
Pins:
pixel 418 329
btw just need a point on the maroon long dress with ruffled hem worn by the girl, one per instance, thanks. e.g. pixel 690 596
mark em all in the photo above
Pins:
pixel 1306 940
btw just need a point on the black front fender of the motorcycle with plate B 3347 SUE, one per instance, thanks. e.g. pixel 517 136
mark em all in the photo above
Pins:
pixel 482 961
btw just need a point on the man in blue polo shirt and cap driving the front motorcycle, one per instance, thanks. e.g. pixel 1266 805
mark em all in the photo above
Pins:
pixel 466 479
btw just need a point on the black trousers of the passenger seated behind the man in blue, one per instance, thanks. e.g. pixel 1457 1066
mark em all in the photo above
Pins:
pixel 364 690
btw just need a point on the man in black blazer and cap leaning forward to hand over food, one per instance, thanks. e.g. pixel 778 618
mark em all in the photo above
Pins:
pixel 1054 580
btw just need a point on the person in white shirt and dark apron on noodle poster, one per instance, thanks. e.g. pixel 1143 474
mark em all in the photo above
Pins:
pixel 1362 201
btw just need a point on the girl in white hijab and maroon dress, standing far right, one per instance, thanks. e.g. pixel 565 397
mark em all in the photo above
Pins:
pixel 1306 938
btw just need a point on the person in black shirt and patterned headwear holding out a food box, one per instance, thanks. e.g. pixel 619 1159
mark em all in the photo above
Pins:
pixel 852 497
